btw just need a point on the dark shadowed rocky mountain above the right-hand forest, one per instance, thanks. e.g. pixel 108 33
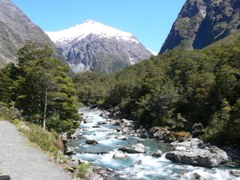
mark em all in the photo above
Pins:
pixel 203 22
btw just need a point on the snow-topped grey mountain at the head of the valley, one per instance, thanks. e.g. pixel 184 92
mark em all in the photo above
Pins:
pixel 96 47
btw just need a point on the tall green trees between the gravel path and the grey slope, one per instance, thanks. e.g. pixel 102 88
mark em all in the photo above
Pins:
pixel 41 88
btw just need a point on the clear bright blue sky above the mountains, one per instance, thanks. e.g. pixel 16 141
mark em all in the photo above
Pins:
pixel 149 20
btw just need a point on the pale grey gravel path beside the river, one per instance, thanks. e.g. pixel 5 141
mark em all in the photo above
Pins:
pixel 23 162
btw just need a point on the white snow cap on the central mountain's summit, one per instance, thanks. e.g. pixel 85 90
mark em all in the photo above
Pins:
pixel 81 31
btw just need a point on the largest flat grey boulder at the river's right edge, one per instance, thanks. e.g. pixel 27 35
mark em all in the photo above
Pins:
pixel 194 154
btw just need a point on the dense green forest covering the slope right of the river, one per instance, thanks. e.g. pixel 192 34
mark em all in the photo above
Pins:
pixel 176 90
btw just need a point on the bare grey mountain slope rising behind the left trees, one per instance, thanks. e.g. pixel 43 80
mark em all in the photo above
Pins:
pixel 15 29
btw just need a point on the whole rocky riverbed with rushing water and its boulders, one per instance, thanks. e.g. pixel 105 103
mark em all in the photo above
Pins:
pixel 118 151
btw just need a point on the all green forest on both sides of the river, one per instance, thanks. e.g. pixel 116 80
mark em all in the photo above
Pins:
pixel 174 90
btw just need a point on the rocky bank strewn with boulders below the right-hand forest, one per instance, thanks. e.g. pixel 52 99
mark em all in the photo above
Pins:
pixel 176 139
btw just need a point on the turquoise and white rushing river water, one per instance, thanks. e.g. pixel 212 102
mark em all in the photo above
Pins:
pixel 102 153
